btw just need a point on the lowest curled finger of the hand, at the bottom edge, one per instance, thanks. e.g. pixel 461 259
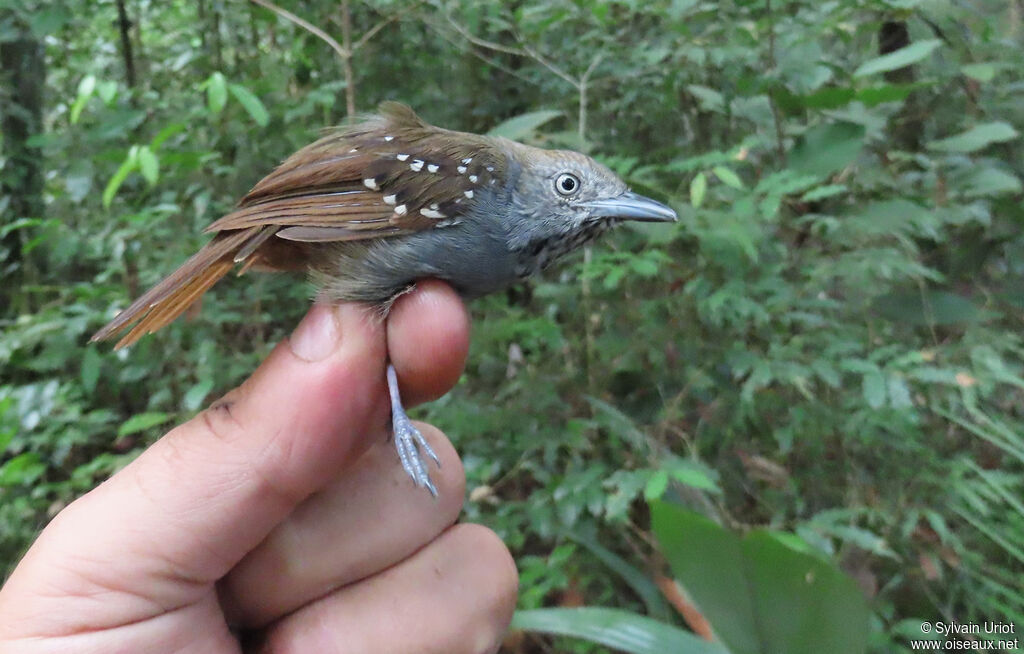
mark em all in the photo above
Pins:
pixel 455 596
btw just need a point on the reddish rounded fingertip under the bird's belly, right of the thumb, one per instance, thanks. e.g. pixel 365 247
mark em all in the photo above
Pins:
pixel 429 368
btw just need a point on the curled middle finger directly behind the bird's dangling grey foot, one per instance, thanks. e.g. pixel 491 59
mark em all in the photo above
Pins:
pixel 366 521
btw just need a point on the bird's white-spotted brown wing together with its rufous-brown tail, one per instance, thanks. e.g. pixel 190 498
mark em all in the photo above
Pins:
pixel 392 175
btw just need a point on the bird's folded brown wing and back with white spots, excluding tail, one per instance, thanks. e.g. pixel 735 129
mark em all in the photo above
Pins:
pixel 391 176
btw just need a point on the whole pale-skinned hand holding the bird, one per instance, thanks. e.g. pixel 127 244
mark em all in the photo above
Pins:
pixel 279 520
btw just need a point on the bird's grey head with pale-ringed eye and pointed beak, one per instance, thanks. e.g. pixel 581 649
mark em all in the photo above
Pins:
pixel 564 192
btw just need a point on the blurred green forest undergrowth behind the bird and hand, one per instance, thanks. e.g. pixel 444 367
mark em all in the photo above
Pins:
pixel 826 350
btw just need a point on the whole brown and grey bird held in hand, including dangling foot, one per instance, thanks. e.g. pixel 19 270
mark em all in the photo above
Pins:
pixel 369 209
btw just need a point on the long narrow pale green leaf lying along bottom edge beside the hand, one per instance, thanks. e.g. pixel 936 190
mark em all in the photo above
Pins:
pixel 616 629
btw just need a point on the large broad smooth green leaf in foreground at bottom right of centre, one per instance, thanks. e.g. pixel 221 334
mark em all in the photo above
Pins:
pixel 761 593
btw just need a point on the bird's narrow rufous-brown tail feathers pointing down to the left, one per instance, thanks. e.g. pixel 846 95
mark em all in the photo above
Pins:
pixel 169 299
